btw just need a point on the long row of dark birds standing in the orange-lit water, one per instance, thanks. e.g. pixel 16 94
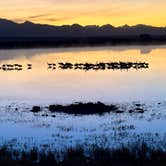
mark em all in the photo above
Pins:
pixel 82 66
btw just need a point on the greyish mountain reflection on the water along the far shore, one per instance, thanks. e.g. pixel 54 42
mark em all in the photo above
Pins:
pixel 9 54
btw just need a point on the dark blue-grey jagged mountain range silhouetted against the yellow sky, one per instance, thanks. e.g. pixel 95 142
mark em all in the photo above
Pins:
pixel 29 29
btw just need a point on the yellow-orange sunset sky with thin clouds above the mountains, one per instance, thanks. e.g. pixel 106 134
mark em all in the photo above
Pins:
pixel 86 12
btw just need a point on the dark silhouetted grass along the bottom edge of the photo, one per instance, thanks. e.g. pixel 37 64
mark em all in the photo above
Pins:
pixel 140 155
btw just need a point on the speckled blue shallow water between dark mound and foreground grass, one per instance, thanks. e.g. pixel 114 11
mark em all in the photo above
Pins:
pixel 23 130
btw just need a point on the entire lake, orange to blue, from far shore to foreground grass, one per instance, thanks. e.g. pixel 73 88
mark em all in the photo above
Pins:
pixel 132 77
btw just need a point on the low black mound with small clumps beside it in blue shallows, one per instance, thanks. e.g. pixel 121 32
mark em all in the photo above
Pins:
pixel 89 108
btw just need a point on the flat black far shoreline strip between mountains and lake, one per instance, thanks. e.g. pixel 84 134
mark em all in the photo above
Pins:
pixel 53 42
